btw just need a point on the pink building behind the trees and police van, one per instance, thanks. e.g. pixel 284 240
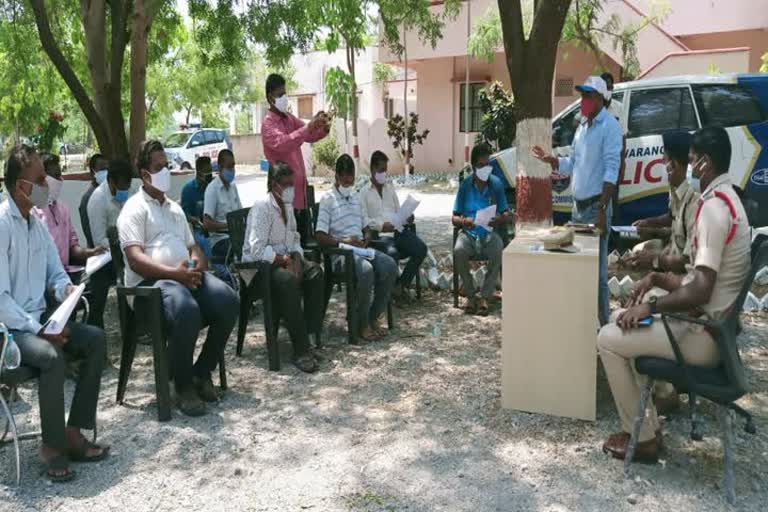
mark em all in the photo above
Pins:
pixel 696 37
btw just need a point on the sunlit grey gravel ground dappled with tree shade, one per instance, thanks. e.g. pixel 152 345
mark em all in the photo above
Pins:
pixel 409 423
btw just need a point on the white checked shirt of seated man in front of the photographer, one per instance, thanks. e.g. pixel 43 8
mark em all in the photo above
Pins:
pixel 267 235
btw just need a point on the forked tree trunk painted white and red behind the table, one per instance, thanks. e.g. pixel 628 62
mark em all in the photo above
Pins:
pixel 531 65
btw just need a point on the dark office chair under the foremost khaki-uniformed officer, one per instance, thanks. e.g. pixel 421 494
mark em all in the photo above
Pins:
pixel 722 385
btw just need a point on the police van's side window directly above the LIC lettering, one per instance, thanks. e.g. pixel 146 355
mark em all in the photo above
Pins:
pixel 655 111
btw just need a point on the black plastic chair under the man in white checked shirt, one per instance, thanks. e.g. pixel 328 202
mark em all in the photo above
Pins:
pixel 255 289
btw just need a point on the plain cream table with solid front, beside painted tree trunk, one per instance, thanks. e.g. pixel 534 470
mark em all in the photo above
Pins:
pixel 549 328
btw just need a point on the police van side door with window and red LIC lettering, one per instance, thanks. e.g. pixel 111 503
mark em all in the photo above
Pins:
pixel 643 188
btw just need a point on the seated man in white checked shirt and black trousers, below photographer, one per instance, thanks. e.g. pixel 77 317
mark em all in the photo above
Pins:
pixel 271 235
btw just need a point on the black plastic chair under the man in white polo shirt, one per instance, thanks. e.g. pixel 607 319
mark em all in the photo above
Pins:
pixel 151 323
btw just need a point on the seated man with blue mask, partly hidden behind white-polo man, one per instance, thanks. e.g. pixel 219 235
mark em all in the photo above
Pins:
pixel 103 209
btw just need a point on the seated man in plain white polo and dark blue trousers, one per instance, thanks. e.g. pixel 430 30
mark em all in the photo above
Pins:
pixel 160 251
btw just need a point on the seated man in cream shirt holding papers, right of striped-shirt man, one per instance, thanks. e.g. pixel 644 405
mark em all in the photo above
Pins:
pixel 380 206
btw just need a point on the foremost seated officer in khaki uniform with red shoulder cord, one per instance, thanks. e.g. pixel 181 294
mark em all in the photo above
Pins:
pixel 720 252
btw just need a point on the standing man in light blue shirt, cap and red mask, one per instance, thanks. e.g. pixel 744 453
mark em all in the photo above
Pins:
pixel 594 166
